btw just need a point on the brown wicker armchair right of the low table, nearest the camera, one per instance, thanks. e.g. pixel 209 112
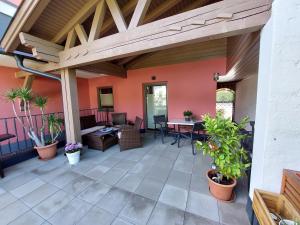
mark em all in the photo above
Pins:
pixel 130 136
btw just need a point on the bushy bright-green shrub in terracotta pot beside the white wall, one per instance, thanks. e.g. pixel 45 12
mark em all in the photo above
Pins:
pixel 229 157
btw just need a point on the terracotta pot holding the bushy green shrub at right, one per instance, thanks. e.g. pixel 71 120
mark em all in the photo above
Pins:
pixel 220 191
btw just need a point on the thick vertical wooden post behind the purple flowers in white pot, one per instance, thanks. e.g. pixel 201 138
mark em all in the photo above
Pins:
pixel 71 107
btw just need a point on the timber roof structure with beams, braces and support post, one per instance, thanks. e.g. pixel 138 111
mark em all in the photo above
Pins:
pixel 113 36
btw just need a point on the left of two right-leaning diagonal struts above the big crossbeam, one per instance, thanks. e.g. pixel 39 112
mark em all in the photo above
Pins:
pixel 97 21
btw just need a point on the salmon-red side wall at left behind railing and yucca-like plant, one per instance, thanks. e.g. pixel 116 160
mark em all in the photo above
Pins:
pixel 40 86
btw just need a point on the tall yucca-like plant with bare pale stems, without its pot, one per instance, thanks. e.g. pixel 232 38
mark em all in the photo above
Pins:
pixel 25 96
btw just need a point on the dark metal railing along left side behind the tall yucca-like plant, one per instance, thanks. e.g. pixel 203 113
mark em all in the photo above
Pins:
pixel 21 147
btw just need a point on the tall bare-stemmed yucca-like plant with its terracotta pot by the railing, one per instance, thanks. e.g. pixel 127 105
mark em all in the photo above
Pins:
pixel 45 149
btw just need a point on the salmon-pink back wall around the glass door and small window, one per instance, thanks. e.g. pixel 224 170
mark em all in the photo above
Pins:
pixel 190 86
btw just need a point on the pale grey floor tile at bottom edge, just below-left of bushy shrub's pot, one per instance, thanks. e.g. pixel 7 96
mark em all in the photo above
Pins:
pixel 203 205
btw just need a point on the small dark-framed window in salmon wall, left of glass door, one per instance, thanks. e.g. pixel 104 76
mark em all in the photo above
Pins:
pixel 105 99
